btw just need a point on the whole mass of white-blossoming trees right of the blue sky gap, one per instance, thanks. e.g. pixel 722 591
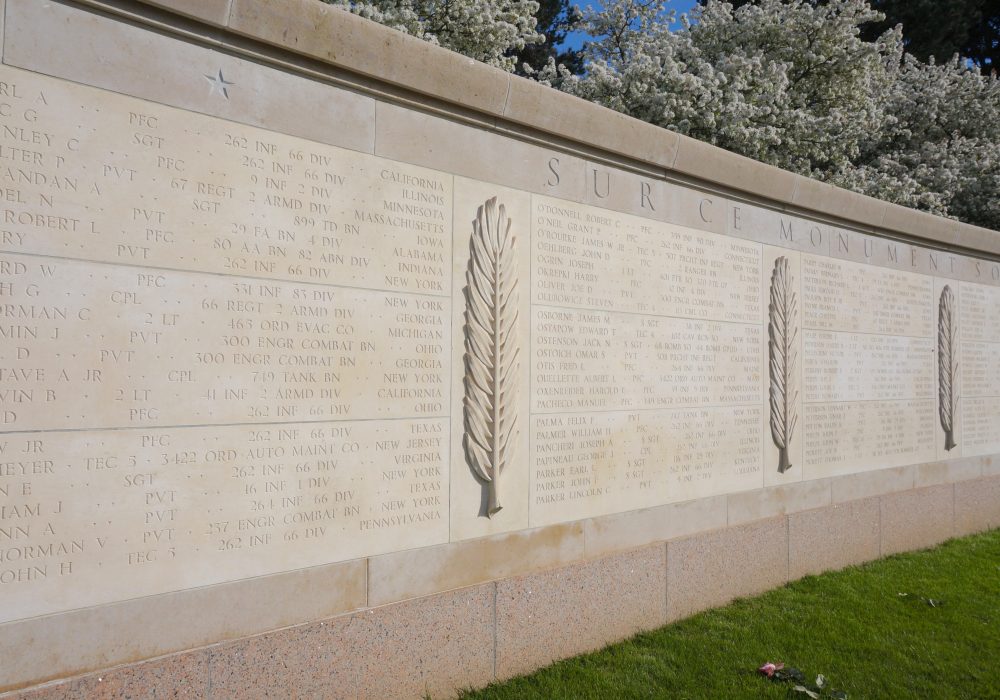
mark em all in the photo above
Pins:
pixel 794 84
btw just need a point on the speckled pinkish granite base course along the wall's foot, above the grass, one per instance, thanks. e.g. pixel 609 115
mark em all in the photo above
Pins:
pixel 439 644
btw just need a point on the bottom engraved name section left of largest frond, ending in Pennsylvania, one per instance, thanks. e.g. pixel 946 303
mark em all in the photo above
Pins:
pixel 95 516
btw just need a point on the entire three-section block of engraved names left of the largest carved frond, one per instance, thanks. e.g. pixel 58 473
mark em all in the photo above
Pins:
pixel 226 351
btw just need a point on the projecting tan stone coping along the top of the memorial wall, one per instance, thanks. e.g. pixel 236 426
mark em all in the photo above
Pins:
pixel 322 33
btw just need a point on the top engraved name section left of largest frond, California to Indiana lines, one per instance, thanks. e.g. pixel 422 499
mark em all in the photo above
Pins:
pixel 127 182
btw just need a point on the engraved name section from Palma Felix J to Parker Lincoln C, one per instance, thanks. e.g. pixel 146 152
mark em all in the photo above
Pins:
pixel 585 465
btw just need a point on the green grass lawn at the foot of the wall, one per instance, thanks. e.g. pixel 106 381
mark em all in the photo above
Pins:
pixel 852 626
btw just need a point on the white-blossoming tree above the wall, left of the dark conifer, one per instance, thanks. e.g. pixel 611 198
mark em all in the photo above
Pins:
pixel 491 31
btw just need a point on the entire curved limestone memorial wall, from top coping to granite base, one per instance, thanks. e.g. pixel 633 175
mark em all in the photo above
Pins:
pixel 304 318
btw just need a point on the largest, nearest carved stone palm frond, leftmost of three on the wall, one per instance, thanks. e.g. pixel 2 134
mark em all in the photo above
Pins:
pixel 491 349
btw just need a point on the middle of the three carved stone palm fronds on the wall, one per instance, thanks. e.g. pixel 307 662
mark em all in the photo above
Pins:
pixel 782 330
